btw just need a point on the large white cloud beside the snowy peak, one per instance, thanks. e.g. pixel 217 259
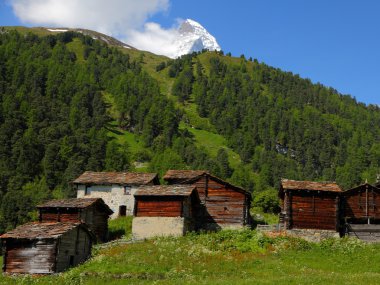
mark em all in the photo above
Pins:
pixel 124 19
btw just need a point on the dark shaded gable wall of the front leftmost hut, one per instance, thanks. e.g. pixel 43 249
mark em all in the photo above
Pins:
pixel 74 247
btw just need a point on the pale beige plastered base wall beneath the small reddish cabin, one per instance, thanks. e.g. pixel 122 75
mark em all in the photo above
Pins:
pixel 148 227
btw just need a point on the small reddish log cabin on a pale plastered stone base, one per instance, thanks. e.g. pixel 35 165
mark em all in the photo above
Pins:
pixel 164 210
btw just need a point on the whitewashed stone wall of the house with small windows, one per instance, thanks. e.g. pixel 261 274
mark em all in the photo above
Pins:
pixel 113 195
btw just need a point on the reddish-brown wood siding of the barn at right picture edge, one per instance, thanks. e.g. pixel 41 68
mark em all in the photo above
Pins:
pixel 360 204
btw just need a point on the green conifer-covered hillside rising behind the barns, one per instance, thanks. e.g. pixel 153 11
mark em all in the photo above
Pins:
pixel 70 103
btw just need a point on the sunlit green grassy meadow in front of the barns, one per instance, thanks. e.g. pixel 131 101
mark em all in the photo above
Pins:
pixel 227 257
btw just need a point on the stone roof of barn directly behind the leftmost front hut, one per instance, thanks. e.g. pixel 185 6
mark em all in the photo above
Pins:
pixel 79 203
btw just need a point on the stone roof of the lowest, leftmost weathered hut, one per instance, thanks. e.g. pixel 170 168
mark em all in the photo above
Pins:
pixel 36 230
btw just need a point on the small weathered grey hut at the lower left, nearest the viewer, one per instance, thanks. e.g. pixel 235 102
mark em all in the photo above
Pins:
pixel 45 248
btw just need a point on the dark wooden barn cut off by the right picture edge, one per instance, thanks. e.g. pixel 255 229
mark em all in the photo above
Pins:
pixel 360 212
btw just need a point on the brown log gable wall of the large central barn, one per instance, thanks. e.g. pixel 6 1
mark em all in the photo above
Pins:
pixel 224 205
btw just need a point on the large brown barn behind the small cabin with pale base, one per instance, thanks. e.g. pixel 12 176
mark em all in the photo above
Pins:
pixel 223 205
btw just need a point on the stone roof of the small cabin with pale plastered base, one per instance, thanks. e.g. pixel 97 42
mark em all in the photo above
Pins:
pixel 165 190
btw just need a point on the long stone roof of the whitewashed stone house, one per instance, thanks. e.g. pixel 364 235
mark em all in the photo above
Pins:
pixel 123 178
